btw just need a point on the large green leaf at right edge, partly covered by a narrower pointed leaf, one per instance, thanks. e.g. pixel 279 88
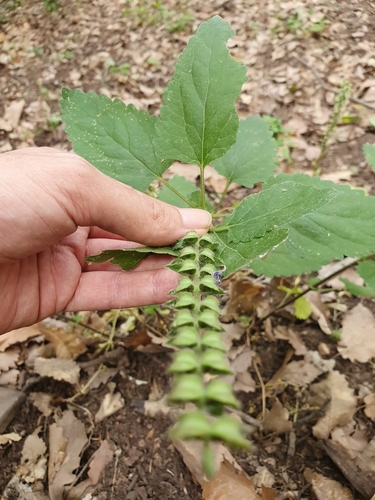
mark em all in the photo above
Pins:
pixel 343 227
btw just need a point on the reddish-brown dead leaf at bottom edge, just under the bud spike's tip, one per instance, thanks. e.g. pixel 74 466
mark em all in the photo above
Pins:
pixel 229 483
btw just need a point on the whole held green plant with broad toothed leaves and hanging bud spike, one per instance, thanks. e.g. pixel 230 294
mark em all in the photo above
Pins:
pixel 294 225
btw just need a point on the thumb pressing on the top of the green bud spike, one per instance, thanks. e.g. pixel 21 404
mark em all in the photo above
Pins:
pixel 122 210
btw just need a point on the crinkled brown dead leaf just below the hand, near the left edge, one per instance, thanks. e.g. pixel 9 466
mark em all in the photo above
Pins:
pixel 68 345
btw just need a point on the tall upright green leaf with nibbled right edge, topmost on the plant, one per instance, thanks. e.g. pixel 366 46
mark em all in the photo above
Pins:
pixel 199 122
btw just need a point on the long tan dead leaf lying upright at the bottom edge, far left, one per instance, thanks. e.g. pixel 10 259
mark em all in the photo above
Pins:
pixel 67 440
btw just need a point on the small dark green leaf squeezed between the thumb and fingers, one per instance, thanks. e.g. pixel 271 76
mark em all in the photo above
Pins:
pixel 128 258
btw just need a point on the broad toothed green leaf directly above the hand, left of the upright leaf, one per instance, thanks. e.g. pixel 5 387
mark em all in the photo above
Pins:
pixel 115 138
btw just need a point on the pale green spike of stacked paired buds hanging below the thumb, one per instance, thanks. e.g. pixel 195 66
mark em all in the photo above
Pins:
pixel 200 358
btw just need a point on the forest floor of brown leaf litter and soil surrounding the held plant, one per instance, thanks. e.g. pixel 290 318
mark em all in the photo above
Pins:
pixel 93 424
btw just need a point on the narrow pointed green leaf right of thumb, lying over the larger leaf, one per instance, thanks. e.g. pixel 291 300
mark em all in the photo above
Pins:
pixel 273 208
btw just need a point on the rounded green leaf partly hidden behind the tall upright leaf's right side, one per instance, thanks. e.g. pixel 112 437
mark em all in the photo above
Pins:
pixel 253 157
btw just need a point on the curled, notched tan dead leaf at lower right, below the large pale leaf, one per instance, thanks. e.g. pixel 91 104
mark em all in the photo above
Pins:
pixel 340 409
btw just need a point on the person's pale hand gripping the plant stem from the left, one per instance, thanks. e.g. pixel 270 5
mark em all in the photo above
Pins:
pixel 55 209
